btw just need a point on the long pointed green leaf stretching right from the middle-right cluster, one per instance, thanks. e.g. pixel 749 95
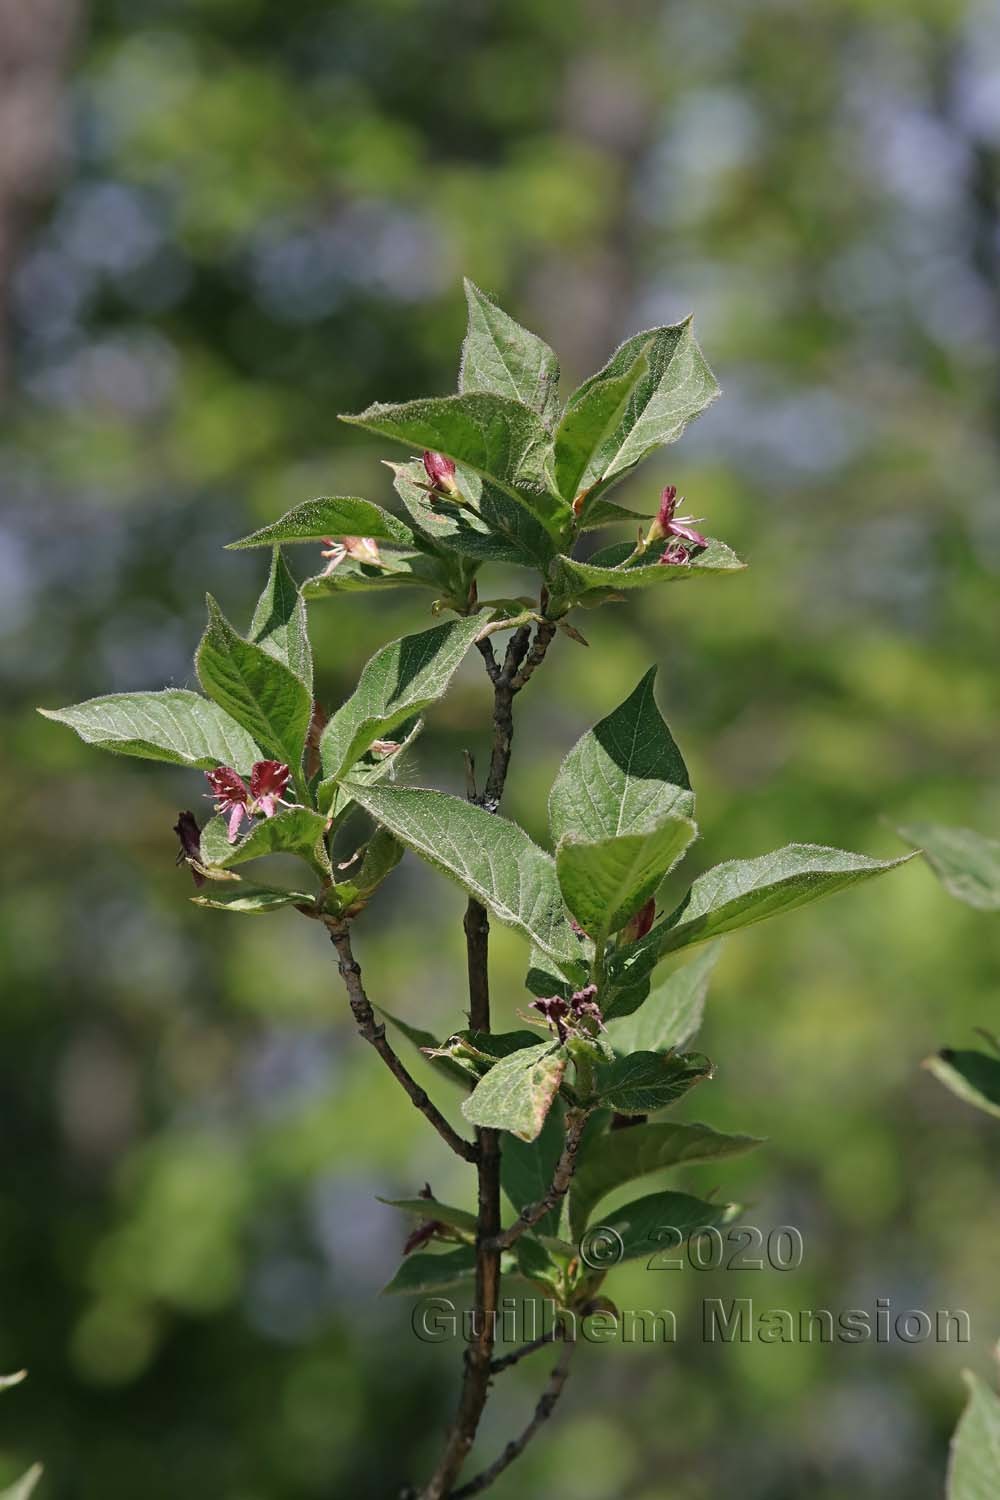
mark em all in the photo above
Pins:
pixel 744 892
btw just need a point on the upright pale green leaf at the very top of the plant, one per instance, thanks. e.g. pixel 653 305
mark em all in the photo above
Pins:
pixel 501 358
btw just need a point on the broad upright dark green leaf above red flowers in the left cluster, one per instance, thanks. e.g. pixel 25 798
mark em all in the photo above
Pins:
pixel 259 691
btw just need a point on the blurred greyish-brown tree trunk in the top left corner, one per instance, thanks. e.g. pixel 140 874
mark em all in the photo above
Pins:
pixel 37 40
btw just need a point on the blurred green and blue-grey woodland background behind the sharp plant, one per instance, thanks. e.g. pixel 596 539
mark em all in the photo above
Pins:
pixel 221 224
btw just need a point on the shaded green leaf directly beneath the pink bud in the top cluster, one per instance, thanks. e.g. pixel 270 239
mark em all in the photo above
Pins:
pixel 500 530
